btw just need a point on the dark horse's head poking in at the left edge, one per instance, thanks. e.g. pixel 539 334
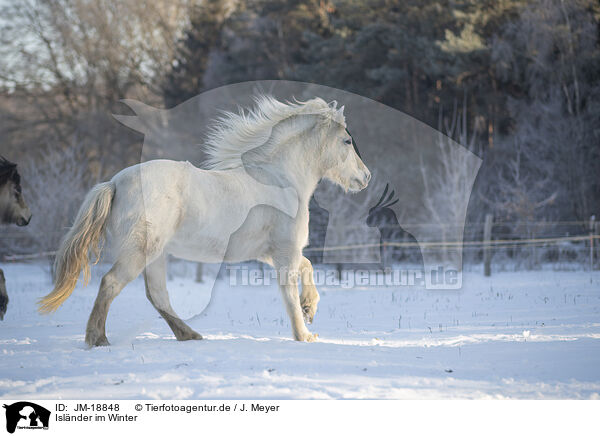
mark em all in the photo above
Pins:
pixel 12 205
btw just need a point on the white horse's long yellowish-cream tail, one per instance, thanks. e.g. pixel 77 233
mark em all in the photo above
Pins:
pixel 72 256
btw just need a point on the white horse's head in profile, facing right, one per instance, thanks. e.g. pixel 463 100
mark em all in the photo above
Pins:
pixel 343 164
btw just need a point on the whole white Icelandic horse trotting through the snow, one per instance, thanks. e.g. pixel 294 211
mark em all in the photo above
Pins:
pixel 252 203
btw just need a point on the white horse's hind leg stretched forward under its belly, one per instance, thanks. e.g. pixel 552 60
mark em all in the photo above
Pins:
pixel 156 291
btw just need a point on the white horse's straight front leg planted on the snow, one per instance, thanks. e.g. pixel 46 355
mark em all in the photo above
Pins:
pixel 287 275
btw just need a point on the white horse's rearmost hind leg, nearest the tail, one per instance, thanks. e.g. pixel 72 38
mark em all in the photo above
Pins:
pixel 125 269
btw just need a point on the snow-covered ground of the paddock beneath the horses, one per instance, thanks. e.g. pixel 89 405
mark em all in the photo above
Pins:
pixel 514 335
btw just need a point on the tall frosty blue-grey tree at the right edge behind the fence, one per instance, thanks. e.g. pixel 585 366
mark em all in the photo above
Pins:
pixel 551 55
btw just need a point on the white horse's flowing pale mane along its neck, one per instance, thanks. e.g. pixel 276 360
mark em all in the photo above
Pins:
pixel 233 134
